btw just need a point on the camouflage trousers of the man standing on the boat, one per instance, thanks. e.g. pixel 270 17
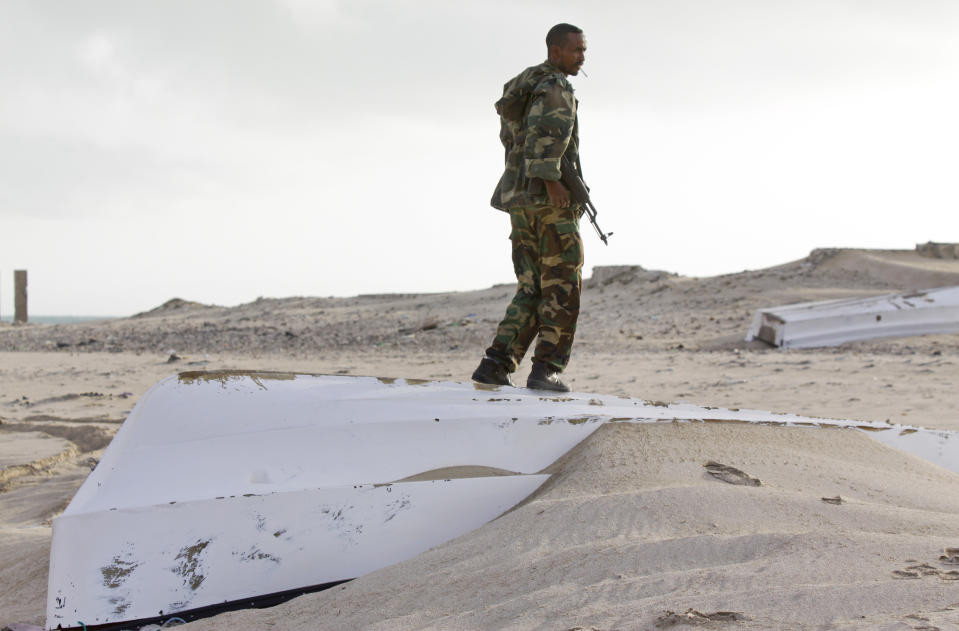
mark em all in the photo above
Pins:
pixel 548 261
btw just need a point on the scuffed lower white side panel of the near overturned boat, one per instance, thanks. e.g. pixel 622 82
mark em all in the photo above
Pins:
pixel 137 563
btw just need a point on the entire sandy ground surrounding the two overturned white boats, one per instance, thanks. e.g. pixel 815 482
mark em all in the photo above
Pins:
pixel 630 532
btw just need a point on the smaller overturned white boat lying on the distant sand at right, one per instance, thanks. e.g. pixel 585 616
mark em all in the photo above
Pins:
pixel 834 322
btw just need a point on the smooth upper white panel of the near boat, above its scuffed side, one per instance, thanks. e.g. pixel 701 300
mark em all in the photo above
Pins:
pixel 192 440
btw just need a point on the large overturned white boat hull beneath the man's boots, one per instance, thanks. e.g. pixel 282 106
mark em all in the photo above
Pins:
pixel 233 489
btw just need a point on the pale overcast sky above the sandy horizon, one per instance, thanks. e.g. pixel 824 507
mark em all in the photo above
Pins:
pixel 221 151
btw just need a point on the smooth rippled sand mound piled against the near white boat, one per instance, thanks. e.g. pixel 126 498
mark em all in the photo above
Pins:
pixel 631 527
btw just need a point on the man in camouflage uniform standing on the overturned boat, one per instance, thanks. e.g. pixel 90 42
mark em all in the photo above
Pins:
pixel 538 127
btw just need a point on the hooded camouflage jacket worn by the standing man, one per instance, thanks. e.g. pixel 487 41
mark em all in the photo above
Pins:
pixel 538 126
